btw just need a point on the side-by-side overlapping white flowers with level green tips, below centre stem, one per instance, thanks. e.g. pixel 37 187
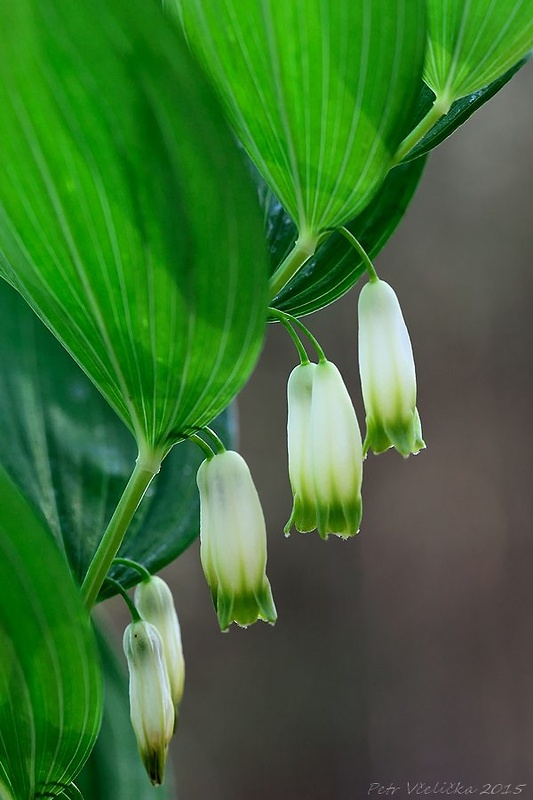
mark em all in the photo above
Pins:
pixel 325 452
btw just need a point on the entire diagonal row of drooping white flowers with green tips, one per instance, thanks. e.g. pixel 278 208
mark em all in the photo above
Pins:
pixel 326 455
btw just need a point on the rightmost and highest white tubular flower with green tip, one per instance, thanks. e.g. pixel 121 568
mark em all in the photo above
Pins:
pixel 387 369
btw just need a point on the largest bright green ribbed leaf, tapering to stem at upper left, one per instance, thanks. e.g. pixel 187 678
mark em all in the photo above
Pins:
pixel 127 219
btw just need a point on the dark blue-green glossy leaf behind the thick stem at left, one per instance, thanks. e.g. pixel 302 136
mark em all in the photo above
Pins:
pixel 71 456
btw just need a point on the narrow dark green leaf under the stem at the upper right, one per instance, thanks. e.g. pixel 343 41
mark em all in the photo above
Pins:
pixel 458 114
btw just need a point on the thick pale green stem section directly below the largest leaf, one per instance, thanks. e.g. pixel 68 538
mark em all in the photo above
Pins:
pixel 138 483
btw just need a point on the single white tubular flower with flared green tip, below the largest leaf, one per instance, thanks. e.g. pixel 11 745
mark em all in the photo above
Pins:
pixel 233 541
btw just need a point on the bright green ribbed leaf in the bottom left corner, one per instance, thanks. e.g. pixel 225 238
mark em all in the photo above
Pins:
pixel 50 690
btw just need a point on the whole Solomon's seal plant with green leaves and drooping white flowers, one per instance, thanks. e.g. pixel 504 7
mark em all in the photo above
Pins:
pixel 172 181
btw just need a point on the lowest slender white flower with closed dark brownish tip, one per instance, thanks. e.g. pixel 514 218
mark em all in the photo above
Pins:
pixel 151 707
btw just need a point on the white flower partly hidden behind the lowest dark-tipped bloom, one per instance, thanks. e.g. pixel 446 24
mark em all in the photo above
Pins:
pixel 155 604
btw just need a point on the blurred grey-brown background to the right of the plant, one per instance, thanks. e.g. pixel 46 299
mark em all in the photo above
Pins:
pixel 407 653
